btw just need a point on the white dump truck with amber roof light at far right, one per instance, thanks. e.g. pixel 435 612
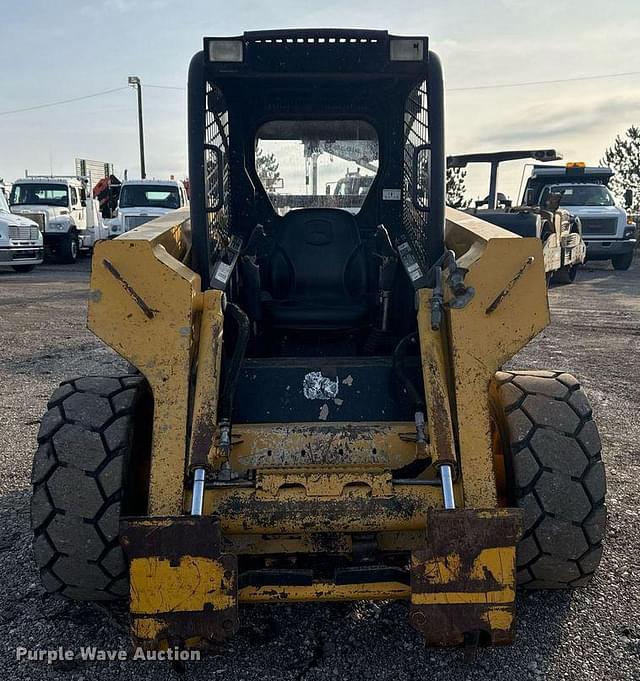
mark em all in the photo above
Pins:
pixel 609 233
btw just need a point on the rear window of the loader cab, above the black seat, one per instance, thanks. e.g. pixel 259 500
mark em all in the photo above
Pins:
pixel 316 164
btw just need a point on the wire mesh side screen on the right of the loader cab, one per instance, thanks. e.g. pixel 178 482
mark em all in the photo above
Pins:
pixel 415 181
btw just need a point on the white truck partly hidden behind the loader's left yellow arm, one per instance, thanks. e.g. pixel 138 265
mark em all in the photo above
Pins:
pixel 143 200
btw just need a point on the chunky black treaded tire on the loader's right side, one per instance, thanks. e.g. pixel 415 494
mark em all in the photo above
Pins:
pixel 550 454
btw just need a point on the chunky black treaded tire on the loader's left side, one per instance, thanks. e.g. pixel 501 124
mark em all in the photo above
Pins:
pixel 85 441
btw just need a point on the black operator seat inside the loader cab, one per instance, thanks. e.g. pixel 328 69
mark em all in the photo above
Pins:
pixel 317 272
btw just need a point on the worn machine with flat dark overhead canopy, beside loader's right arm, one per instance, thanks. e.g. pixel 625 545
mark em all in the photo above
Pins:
pixel 564 249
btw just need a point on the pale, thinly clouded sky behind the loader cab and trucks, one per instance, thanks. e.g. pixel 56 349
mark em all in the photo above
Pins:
pixel 58 49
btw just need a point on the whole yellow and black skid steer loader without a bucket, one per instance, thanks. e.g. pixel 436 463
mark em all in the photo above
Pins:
pixel 319 410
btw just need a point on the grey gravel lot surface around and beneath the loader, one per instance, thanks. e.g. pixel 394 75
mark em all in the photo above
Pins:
pixel 592 633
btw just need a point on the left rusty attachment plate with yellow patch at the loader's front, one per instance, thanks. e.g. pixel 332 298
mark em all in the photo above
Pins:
pixel 181 584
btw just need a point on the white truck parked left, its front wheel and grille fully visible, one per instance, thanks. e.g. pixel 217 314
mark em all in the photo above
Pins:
pixel 63 209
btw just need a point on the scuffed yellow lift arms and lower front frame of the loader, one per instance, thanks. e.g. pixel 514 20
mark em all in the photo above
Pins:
pixel 148 306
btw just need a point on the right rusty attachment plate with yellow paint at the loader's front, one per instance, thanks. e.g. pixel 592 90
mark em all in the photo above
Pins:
pixel 465 579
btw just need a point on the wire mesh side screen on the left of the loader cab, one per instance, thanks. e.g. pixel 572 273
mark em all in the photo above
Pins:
pixel 216 168
